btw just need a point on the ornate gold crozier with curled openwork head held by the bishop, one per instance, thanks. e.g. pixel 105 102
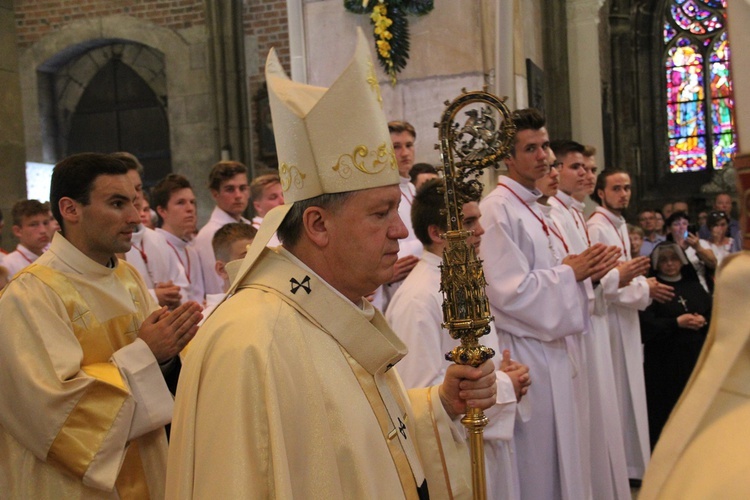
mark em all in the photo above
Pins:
pixel 466 149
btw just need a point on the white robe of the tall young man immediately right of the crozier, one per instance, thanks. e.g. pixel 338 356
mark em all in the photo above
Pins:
pixel 537 304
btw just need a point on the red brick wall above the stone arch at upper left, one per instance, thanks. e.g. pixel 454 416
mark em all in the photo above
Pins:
pixel 35 18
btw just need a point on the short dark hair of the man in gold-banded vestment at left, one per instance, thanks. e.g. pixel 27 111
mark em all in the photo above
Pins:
pixel 74 176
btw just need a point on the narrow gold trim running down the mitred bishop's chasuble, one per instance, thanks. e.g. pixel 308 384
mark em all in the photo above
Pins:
pixel 367 383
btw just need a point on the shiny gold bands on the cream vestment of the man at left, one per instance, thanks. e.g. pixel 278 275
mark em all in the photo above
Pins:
pixel 90 420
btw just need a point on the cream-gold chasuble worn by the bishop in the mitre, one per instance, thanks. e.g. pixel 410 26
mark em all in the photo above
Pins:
pixel 302 401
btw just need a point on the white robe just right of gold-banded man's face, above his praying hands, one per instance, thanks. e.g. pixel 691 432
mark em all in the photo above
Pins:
pixel 156 261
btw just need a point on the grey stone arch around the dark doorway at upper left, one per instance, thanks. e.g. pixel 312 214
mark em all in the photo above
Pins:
pixel 184 84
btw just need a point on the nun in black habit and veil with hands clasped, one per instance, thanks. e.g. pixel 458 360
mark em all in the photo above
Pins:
pixel 672 333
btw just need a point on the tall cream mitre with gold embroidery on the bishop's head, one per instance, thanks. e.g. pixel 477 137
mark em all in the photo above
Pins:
pixel 331 140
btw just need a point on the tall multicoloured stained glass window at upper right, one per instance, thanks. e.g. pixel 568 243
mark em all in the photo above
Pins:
pixel 700 106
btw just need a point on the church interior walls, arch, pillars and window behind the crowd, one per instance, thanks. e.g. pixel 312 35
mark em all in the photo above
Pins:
pixel 179 83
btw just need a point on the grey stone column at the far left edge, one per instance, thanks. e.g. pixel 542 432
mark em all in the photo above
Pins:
pixel 12 150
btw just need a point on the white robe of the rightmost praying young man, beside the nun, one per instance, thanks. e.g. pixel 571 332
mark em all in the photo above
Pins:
pixel 622 306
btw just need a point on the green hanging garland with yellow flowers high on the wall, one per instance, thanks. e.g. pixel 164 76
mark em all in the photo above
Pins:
pixel 390 28
